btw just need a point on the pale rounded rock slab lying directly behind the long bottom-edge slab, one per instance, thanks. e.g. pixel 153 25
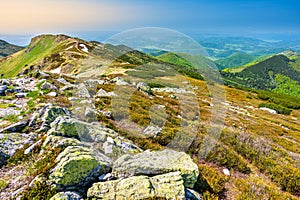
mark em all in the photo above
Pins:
pixel 157 162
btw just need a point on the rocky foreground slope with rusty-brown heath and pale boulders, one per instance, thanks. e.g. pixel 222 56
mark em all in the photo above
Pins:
pixel 62 139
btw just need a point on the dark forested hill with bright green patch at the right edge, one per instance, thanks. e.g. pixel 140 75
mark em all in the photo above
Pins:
pixel 275 73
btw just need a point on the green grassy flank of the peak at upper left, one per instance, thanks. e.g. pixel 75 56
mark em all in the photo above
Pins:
pixel 48 51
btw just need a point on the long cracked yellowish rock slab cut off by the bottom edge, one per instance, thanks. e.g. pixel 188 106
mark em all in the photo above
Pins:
pixel 166 186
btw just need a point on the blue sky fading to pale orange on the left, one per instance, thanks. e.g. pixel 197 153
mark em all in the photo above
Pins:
pixel 84 17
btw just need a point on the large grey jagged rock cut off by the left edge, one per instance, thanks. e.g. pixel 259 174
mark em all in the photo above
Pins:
pixel 10 143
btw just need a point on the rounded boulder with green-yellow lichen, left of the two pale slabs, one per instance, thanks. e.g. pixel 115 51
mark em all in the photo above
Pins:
pixel 78 166
